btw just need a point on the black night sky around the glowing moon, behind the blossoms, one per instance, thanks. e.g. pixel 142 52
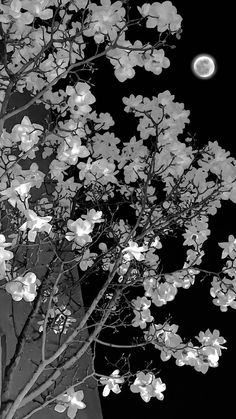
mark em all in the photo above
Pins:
pixel 207 28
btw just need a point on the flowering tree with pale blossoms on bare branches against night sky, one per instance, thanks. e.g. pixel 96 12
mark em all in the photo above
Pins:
pixel 168 185
